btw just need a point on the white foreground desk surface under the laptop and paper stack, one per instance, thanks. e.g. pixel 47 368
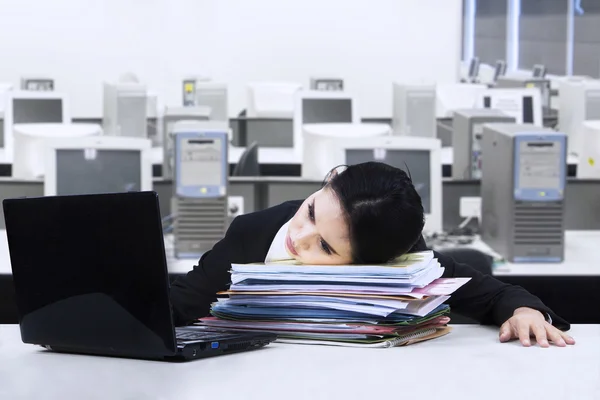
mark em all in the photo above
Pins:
pixel 469 363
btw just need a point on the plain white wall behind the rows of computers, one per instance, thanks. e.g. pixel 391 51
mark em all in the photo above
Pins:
pixel 369 44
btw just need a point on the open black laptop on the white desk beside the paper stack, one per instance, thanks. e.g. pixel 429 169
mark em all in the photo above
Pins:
pixel 90 277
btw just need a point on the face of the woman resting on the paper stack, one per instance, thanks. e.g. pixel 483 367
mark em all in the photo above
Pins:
pixel 318 233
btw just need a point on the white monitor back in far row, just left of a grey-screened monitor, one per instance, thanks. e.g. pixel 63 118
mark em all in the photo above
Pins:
pixel 271 99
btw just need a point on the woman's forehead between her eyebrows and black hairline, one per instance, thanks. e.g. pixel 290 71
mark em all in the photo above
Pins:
pixel 331 222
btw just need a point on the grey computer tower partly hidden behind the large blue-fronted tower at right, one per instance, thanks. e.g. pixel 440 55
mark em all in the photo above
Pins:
pixel 467 132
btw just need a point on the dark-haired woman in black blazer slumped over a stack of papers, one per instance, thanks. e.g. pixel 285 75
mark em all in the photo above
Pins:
pixel 369 213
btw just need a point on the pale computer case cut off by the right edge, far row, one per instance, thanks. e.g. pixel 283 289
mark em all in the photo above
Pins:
pixel 579 101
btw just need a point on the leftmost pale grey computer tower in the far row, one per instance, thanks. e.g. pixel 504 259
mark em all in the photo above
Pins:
pixel 125 109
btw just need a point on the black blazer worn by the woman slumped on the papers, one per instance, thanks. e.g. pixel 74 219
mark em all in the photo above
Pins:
pixel 249 238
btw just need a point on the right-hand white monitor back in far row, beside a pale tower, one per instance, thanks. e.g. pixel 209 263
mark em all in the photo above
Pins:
pixel 456 96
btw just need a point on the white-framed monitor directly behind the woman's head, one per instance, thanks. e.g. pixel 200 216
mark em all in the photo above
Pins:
pixel 422 156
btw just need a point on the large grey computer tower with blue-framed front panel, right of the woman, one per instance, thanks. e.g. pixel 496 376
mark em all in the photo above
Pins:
pixel 523 192
